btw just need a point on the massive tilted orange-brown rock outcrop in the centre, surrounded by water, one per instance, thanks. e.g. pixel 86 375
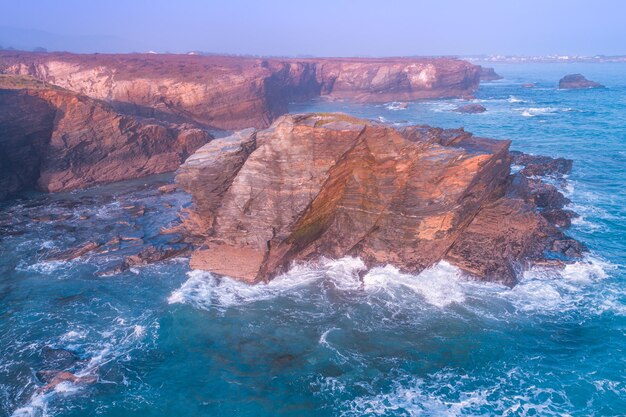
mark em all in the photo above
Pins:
pixel 332 185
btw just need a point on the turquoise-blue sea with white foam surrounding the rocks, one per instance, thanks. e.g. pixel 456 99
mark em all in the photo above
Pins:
pixel 164 340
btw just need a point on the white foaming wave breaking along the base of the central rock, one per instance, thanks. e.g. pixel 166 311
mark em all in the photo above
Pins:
pixel 541 289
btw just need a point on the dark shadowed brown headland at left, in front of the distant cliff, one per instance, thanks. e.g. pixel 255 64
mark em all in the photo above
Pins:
pixel 55 140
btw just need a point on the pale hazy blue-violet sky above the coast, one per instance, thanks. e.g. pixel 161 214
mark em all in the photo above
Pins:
pixel 319 27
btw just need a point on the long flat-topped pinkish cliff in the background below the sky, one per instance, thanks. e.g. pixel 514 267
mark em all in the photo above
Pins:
pixel 232 93
